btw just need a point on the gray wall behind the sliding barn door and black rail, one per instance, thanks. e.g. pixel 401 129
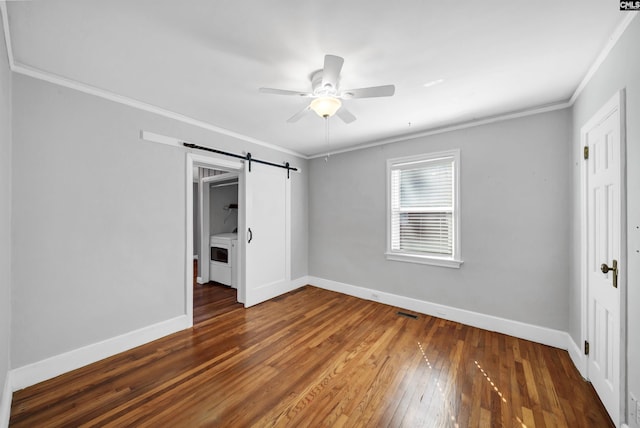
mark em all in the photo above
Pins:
pixel 99 218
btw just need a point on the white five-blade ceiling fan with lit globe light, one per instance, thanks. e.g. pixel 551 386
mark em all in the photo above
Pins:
pixel 327 95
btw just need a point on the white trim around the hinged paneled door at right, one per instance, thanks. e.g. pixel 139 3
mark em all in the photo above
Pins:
pixel 617 102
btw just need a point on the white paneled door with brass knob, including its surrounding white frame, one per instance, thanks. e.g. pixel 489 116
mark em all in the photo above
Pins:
pixel 603 254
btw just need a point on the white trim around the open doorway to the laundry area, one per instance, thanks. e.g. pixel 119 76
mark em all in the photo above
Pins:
pixel 212 162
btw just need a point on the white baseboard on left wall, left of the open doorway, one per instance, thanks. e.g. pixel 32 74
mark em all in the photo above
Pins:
pixel 31 374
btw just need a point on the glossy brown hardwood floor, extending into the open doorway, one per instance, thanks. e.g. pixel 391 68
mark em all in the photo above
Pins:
pixel 318 358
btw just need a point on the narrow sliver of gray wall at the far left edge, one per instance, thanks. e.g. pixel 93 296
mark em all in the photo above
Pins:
pixel 5 212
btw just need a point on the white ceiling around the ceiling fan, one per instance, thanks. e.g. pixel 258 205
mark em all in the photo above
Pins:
pixel 206 59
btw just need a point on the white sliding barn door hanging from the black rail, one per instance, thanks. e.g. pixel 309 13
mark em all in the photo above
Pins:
pixel 267 233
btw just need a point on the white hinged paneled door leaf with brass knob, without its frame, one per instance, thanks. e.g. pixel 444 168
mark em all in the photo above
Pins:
pixel 604 248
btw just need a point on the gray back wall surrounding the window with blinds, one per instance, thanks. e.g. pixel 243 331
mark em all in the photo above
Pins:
pixel 515 199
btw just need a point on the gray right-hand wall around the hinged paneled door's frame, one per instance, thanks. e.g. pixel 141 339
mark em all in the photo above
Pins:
pixel 620 70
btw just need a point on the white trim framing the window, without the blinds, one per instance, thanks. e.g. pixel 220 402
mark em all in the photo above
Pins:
pixel 454 261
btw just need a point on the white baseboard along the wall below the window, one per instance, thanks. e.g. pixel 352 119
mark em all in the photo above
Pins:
pixel 544 335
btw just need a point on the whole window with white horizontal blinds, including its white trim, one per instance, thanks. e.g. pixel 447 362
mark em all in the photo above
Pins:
pixel 423 209
